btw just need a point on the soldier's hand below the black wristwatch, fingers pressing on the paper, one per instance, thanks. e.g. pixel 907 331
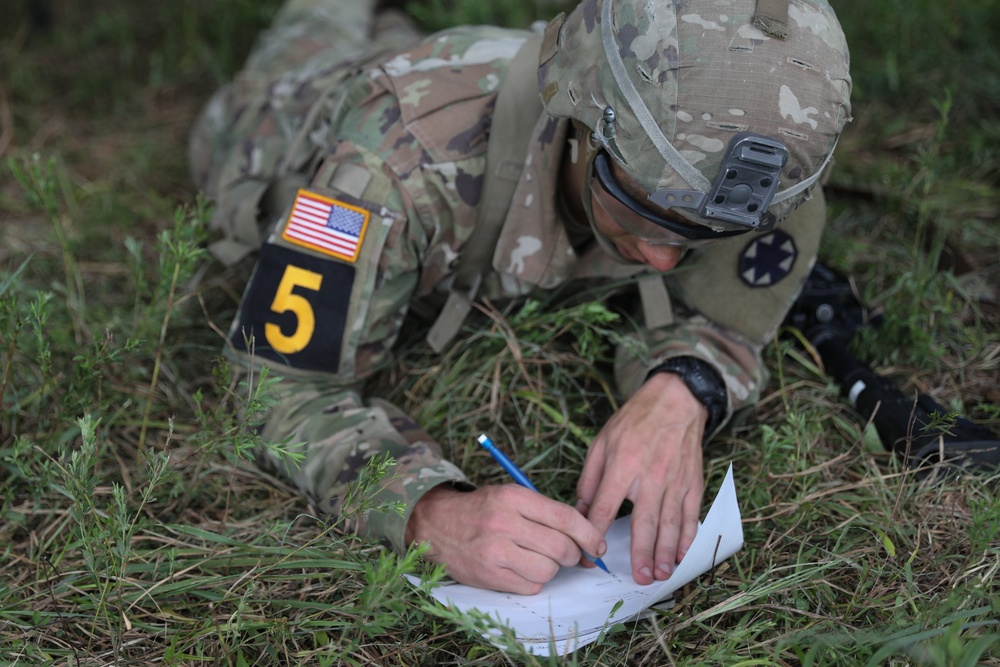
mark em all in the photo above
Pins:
pixel 650 453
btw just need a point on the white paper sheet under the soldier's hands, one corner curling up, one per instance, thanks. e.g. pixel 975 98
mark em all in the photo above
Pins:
pixel 572 609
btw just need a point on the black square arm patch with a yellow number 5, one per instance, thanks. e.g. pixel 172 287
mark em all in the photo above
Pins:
pixel 295 309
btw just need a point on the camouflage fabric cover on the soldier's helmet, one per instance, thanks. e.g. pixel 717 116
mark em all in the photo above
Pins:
pixel 684 76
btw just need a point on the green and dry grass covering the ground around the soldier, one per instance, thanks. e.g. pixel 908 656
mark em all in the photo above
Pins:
pixel 135 529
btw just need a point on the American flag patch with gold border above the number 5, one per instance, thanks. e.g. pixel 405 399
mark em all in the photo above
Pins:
pixel 327 225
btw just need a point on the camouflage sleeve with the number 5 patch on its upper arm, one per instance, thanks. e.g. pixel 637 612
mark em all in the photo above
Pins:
pixel 320 413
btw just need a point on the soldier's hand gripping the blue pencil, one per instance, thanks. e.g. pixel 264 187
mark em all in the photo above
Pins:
pixel 505 538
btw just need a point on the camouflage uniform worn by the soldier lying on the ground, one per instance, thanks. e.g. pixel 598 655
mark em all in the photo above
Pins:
pixel 394 142
